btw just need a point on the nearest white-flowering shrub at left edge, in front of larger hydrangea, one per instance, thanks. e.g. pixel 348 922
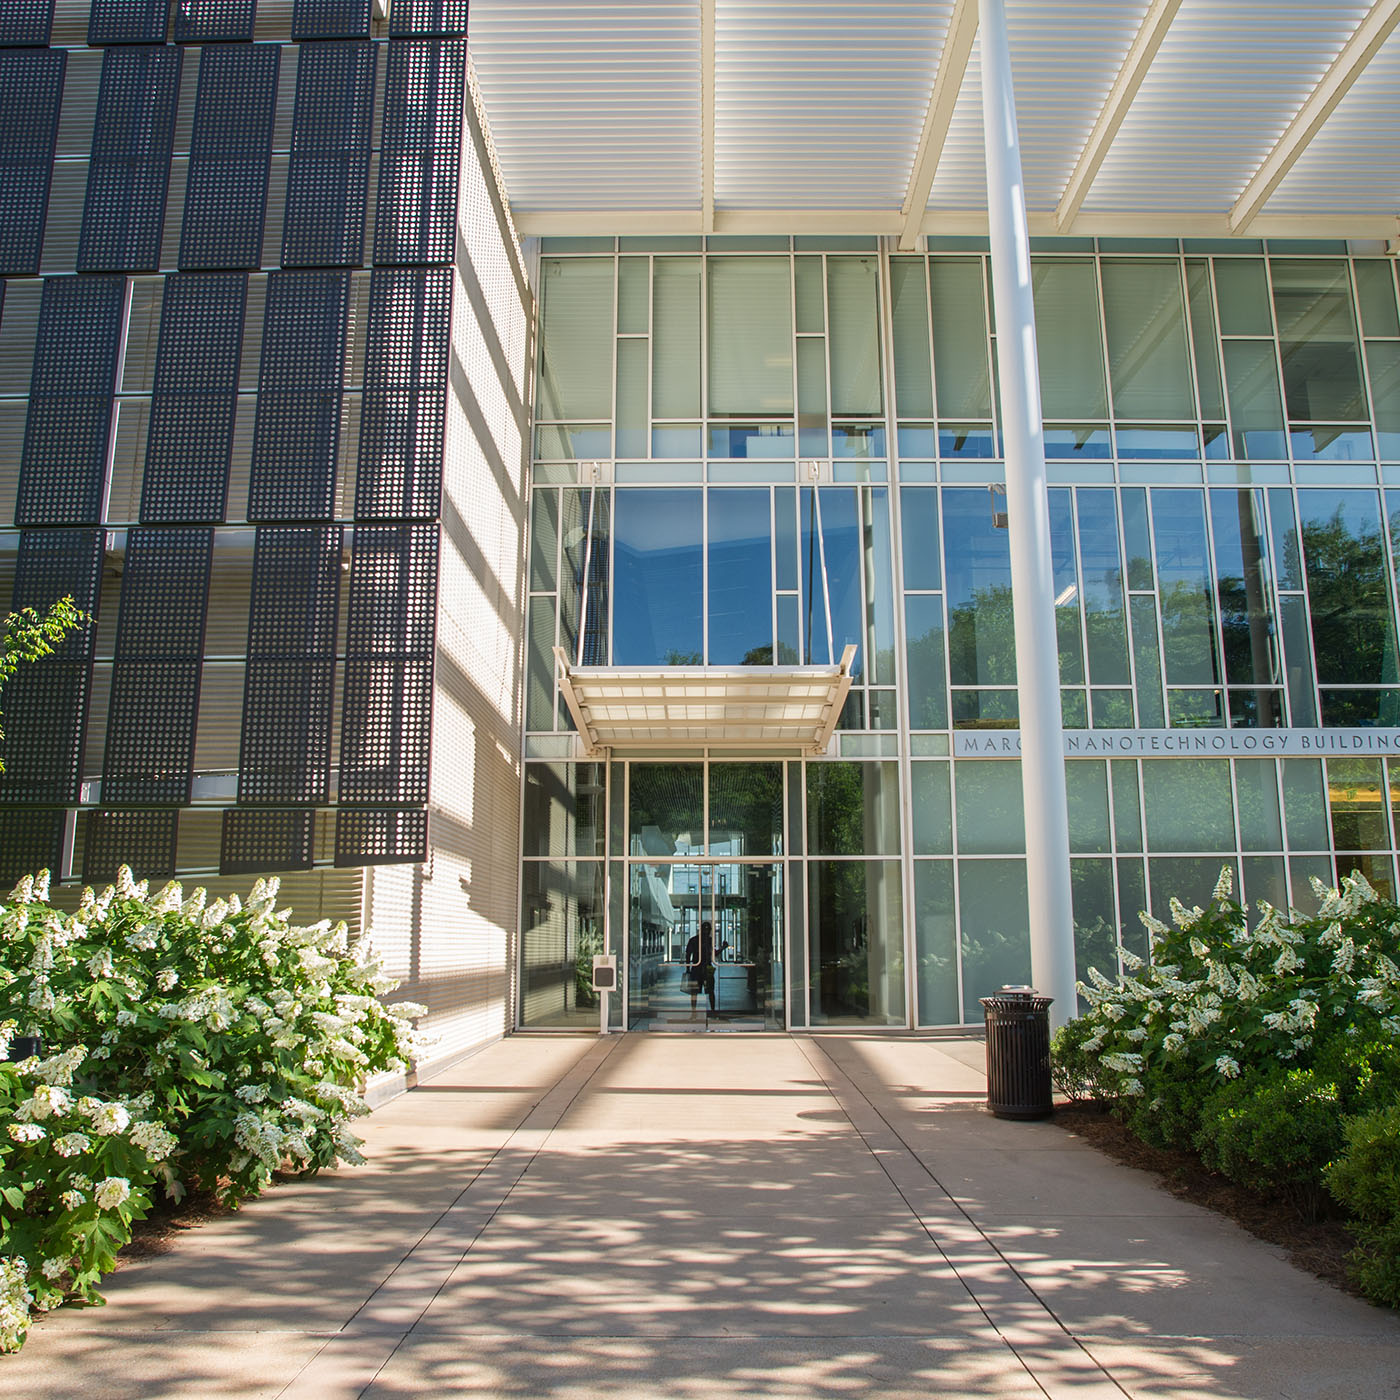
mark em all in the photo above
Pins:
pixel 75 1171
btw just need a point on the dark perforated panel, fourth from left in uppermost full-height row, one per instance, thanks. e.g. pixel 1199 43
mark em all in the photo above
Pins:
pixel 330 173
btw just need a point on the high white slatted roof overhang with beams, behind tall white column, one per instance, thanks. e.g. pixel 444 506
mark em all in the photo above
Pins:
pixel 1137 117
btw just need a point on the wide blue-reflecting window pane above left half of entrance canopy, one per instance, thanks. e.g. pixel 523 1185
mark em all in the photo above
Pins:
pixel 659 577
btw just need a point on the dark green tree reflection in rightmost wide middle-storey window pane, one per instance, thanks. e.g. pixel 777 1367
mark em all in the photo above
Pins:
pixel 1353 629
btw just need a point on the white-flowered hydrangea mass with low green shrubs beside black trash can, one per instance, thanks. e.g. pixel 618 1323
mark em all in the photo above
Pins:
pixel 1272 1049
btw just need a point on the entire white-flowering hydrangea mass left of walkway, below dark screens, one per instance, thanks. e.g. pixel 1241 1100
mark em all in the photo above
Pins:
pixel 191 1045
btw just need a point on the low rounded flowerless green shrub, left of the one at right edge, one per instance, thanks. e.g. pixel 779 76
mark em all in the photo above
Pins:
pixel 1273 1130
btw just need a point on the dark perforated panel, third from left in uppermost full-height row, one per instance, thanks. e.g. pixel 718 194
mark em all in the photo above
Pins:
pixel 230 155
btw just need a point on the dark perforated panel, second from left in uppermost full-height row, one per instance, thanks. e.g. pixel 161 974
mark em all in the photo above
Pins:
pixel 124 213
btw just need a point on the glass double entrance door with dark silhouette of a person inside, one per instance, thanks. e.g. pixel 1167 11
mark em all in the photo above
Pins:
pixel 678 911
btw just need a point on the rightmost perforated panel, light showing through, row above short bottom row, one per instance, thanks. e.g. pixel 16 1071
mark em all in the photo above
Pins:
pixel 386 724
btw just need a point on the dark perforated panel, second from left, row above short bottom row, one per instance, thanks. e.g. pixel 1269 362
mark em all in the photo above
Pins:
pixel 157 661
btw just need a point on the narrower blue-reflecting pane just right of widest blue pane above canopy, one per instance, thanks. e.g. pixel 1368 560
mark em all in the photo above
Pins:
pixel 741 587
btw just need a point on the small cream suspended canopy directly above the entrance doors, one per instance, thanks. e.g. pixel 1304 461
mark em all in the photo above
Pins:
pixel 684 709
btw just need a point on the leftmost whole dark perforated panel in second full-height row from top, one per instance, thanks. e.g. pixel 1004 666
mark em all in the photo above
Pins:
pixel 64 464
